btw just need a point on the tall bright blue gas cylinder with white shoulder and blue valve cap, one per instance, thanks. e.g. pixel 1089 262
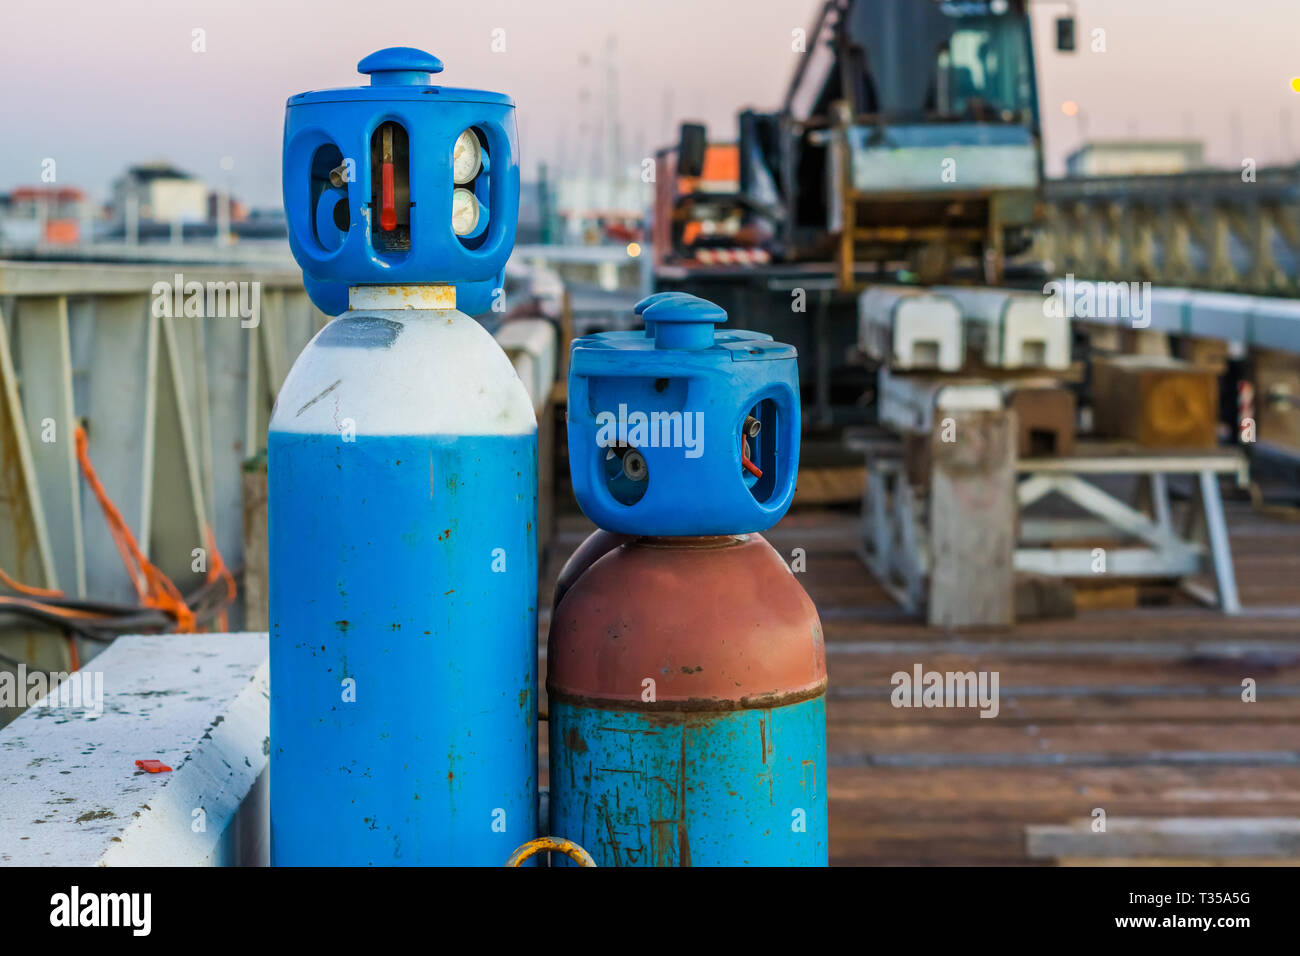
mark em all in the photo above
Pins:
pixel 402 488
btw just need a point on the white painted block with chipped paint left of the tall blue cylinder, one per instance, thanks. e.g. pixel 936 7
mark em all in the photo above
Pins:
pixel 72 794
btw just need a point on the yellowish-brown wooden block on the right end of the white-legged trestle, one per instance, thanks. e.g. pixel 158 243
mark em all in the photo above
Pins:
pixel 1160 404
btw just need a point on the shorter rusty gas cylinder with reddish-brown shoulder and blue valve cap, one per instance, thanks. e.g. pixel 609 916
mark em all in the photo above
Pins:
pixel 687 665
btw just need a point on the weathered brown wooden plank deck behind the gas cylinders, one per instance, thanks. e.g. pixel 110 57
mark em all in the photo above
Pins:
pixel 1137 711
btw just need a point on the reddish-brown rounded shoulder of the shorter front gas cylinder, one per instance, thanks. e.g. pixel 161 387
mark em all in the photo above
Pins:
pixel 714 624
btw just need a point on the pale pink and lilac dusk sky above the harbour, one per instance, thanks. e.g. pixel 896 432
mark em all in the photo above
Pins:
pixel 97 86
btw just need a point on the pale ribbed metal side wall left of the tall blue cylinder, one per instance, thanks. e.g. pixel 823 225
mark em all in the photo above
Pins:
pixel 172 371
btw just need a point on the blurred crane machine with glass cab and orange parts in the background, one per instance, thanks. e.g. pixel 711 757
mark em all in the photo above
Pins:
pixel 909 142
